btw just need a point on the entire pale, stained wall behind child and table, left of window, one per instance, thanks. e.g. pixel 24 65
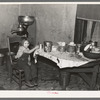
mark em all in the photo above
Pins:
pixel 54 22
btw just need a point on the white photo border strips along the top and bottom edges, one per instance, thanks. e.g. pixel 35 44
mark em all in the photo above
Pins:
pixel 30 95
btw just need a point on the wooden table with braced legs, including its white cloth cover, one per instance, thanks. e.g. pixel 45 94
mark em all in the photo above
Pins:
pixel 72 63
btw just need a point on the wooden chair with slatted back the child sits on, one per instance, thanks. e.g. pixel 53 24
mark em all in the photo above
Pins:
pixel 15 74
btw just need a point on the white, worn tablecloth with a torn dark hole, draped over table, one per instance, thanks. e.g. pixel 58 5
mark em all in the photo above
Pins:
pixel 63 59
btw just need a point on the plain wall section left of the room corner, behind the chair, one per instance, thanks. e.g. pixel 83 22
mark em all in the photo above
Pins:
pixel 8 16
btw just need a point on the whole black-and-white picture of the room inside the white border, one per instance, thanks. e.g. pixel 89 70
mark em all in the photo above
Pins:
pixel 50 47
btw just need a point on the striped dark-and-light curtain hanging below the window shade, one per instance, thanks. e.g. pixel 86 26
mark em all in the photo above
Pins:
pixel 86 30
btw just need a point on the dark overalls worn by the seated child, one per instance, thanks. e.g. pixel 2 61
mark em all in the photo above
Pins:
pixel 29 70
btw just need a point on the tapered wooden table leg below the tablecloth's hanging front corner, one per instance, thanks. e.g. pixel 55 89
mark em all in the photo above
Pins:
pixel 64 79
